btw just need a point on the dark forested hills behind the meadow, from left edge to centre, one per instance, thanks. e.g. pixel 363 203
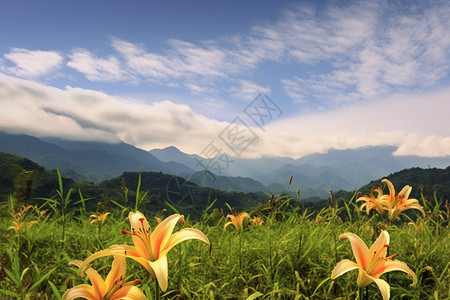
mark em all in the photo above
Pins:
pixel 27 181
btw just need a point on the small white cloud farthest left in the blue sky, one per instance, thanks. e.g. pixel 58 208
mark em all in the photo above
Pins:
pixel 33 63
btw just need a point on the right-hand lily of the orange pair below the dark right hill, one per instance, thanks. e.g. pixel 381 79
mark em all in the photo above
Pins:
pixel 400 202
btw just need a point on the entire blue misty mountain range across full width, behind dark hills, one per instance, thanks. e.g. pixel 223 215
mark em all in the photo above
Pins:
pixel 315 174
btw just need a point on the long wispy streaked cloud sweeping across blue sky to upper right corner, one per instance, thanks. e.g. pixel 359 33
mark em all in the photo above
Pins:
pixel 360 50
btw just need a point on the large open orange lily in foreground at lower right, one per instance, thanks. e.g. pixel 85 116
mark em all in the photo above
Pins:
pixel 371 263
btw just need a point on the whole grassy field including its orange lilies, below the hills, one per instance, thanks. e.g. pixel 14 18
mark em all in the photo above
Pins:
pixel 279 251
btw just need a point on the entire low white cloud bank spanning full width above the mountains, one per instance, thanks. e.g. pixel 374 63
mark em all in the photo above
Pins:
pixel 412 123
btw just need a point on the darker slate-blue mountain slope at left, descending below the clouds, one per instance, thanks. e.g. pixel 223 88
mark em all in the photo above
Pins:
pixel 91 161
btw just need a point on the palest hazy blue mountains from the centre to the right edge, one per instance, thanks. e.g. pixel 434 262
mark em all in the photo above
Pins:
pixel 315 174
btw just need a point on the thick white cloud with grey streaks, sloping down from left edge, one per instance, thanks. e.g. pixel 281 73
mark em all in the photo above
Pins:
pixel 81 114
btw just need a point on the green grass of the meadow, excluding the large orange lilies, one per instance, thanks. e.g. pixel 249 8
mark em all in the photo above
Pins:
pixel 291 255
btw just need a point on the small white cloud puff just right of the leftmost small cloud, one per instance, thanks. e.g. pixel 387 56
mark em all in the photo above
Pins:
pixel 97 69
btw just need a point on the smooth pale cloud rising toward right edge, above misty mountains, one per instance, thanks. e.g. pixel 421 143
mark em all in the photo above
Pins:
pixel 417 124
